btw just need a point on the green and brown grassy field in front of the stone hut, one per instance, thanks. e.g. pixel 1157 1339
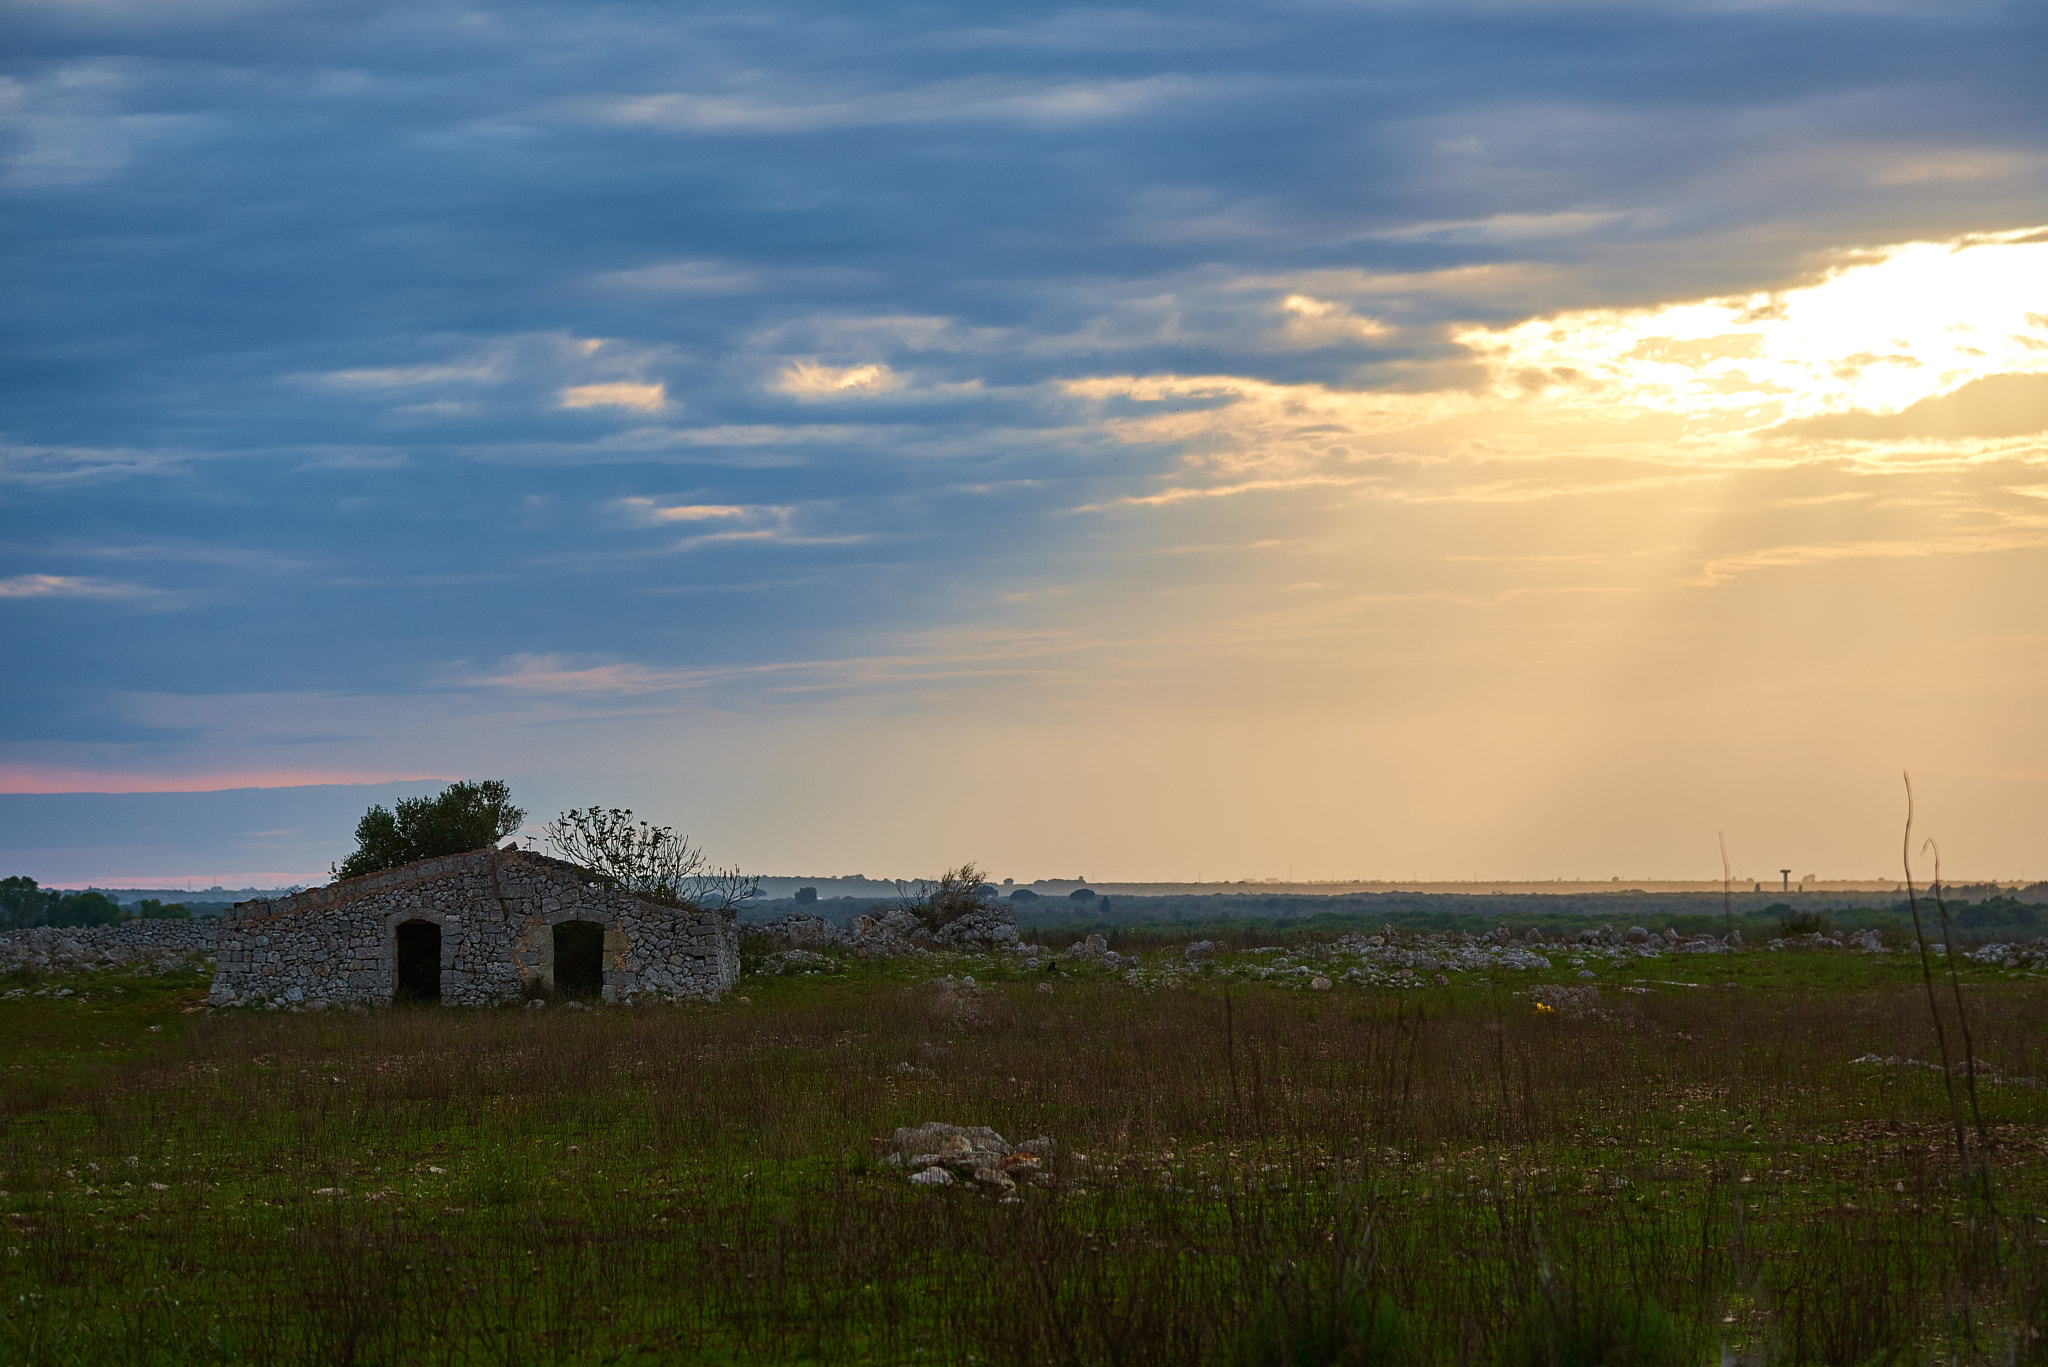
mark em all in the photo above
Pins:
pixel 1246 1173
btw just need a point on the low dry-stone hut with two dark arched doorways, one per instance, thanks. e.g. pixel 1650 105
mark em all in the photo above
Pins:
pixel 472 931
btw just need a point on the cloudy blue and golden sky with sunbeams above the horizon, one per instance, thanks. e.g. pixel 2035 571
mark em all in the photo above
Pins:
pixel 1326 440
